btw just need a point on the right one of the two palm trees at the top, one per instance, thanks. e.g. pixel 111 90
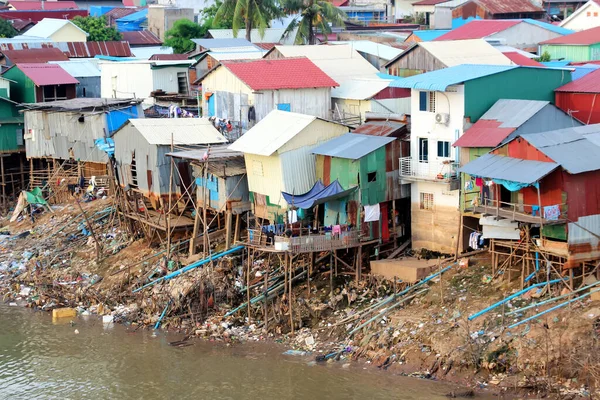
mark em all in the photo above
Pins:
pixel 312 14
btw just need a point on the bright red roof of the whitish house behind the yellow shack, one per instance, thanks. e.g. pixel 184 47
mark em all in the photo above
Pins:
pixel 283 73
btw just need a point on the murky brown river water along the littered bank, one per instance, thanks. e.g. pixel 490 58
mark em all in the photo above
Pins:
pixel 42 360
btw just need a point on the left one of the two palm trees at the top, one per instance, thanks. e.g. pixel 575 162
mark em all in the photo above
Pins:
pixel 249 14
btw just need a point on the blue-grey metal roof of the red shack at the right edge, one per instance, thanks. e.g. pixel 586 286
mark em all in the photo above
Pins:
pixel 569 147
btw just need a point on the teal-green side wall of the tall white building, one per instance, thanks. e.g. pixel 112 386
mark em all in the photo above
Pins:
pixel 518 83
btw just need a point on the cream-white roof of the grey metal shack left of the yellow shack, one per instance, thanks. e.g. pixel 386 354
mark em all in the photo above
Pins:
pixel 183 131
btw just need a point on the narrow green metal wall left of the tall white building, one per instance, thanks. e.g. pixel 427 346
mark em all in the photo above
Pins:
pixel 373 192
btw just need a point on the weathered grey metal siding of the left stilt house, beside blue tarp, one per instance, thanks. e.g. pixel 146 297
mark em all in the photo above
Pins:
pixel 55 132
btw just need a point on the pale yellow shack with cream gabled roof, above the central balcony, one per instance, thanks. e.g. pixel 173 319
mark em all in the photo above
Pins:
pixel 278 156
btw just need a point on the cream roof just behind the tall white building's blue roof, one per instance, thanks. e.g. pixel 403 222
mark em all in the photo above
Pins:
pixel 471 51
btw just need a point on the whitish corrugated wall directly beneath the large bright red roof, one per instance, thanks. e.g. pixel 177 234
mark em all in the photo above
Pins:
pixel 315 102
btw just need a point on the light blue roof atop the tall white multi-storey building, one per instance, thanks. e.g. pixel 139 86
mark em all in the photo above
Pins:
pixel 440 80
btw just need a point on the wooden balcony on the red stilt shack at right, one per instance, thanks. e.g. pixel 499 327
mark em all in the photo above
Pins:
pixel 512 212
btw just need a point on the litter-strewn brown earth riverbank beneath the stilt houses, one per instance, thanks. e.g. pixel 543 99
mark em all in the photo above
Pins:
pixel 53 262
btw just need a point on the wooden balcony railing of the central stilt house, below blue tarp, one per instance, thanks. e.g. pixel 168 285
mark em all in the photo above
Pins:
pixel 304 244
